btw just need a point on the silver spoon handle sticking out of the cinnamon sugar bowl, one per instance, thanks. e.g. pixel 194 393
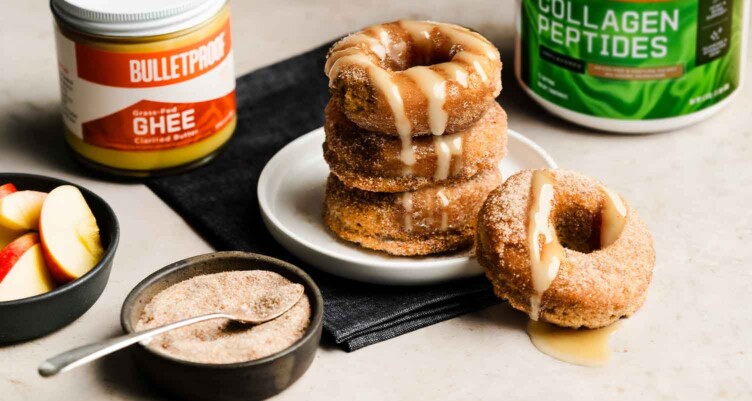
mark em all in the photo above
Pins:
pixel 76 357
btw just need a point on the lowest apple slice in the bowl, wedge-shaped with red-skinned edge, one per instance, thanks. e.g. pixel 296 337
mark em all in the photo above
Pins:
pixel 28 276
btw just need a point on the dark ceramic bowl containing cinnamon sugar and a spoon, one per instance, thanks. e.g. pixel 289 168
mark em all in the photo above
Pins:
pixel 252 380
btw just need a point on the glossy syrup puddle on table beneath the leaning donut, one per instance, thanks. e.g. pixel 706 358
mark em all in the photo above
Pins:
pixel 586 347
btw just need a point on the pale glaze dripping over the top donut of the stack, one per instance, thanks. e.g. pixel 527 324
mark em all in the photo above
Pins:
pixel 381 45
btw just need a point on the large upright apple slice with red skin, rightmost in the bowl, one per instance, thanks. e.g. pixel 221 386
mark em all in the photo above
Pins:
pixel 70 235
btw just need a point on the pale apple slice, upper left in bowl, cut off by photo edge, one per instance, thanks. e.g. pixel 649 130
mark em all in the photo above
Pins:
pixel 20 210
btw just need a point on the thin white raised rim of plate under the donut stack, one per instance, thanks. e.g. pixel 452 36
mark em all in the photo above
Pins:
pixel 399 262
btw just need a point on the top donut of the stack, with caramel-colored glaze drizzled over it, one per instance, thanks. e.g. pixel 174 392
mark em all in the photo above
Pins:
pixel 414 77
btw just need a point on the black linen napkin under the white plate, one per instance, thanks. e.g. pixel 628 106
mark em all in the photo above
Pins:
pixel 277 104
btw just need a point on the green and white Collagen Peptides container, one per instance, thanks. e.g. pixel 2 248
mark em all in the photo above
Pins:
pixel 632 66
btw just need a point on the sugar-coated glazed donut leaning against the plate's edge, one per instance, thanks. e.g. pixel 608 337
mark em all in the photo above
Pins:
pixel 594 256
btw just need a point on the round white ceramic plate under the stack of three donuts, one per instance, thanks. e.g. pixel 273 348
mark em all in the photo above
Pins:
pixel 291 195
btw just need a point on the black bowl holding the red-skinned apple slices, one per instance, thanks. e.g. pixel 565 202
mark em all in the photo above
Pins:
pixel 29 318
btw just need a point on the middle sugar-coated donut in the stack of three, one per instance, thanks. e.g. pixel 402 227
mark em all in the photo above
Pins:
pixel 371 161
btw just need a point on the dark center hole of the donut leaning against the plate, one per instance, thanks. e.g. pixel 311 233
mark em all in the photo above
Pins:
pixel 577 227
